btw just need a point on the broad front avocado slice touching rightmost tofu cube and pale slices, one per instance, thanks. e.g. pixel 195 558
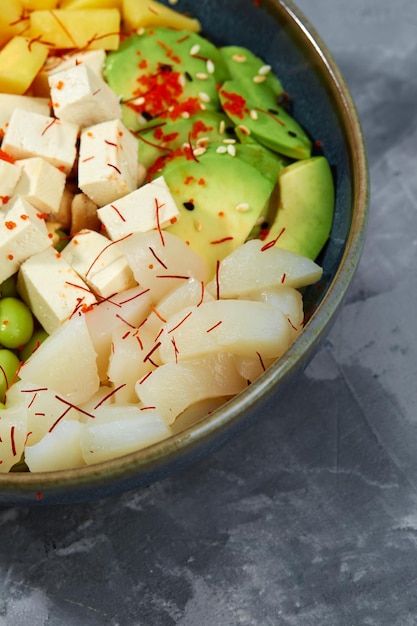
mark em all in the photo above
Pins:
pixel 220 199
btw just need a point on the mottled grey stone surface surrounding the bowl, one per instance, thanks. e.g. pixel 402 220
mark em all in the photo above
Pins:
pixel 310 517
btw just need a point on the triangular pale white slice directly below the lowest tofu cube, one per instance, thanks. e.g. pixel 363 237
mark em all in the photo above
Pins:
pixel 65 362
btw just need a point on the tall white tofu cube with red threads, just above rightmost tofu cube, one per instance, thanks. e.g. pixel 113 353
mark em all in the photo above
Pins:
pixel 108 162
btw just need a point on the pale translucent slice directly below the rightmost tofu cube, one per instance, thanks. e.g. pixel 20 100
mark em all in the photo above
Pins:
pixel 161 261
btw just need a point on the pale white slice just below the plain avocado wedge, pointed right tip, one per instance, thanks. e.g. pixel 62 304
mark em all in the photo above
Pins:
pixel 253 266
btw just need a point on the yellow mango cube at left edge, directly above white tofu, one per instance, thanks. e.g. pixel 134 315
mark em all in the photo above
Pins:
pixel 20 61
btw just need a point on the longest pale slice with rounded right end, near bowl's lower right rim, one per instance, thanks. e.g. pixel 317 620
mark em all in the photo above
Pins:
pixel 238 326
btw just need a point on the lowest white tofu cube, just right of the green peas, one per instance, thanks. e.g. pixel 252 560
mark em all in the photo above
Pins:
pixel 52 289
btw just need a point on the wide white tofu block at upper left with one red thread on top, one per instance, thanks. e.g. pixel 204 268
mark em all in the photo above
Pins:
pixel 31 134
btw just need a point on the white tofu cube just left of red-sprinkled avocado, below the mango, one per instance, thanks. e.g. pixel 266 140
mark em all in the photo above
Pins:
pixel 82 97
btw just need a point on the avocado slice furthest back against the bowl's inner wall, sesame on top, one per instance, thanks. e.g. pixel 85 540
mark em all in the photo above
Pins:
pixel 242 63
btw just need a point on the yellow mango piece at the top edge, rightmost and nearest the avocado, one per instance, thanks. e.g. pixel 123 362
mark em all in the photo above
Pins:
pixel 141 13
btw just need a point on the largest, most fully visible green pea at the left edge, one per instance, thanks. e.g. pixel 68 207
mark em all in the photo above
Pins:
pixel 16 323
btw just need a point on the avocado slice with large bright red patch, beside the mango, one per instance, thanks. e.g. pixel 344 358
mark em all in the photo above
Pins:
pixel 165 73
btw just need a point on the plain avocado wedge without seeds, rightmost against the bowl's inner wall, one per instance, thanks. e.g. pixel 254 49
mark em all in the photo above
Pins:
pixel 306 205
